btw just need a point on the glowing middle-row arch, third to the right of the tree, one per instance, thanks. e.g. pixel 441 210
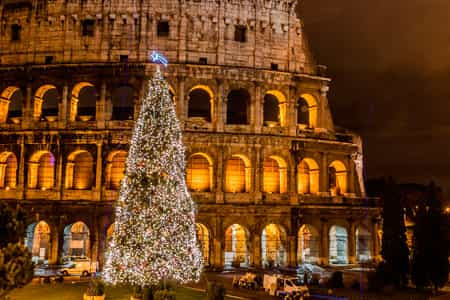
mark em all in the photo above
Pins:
pixel 274 175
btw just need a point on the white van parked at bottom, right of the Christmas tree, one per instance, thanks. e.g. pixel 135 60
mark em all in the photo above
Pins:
pixel 279 285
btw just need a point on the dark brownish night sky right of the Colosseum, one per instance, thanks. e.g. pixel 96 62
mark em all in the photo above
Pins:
pixel 390 67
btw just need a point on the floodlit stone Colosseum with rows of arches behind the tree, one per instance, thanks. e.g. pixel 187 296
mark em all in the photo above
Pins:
pixel 276 182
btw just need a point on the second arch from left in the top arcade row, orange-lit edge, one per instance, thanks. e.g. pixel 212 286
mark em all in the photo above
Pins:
pixel 46 103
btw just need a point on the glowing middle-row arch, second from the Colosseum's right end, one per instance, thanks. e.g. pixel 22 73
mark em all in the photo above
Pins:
pixel 308 176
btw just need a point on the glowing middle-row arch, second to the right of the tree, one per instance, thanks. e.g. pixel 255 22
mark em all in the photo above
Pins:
pixel 238 174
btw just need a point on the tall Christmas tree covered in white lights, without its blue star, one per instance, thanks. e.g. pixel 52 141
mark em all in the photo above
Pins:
pixel 154 236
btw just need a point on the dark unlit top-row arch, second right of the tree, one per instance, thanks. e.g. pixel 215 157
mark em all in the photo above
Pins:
pixel 238 107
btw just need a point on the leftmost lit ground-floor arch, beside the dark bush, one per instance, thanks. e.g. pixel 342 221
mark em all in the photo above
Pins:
pixel 38 241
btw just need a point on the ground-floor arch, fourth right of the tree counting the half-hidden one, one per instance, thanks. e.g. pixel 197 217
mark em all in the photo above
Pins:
pixel 308 244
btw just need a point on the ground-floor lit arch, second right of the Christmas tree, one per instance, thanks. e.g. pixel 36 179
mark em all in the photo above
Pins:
pixel 236 246
